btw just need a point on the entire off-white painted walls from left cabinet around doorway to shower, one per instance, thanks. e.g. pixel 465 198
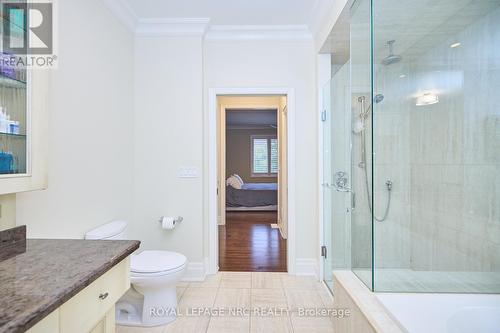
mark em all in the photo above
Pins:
pixel 128 112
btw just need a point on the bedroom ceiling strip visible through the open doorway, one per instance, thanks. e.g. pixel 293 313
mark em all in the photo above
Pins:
pixel 250 118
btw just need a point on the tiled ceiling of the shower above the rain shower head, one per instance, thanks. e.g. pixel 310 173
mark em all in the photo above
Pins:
pixel 416 26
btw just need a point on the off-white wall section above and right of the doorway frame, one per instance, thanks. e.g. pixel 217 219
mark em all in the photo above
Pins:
pixel 284 64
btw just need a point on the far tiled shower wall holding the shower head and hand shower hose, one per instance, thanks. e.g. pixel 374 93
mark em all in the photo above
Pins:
pixel 391 148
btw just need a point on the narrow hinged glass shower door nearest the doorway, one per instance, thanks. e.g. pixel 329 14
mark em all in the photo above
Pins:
pixel 336 174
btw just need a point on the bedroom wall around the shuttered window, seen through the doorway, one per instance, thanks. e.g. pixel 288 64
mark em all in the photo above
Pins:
pixel 238 154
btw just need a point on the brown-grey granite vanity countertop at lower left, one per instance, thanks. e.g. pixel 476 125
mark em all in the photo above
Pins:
pixel 50 272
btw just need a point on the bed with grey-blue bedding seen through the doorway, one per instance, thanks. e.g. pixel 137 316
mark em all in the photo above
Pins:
pixel 252 196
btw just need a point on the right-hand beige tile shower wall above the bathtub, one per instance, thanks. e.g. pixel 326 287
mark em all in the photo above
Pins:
pixel 455 153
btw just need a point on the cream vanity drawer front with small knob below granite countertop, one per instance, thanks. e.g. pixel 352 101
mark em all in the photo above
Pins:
pixel 84 311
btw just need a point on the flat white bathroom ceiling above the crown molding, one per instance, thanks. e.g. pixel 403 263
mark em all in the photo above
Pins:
pixel 229 12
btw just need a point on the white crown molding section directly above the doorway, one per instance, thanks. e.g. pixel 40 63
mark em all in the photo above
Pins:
pixel 245 32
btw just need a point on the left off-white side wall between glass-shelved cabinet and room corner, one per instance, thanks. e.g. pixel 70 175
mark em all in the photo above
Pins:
pixel 91 133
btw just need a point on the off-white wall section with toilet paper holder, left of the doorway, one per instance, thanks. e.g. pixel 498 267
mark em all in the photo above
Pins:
pixel 168 135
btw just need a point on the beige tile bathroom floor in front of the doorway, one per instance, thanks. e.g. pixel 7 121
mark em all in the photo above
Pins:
pixel 232 290
